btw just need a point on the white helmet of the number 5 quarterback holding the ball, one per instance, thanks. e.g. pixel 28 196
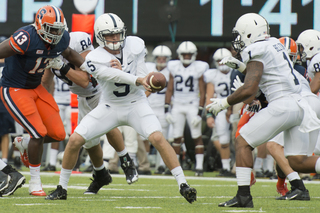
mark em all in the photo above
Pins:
pixel 109 23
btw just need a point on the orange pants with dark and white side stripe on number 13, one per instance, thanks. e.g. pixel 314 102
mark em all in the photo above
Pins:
pixel 35 110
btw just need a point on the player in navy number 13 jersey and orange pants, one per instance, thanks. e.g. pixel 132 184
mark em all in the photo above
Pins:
pixel 27 53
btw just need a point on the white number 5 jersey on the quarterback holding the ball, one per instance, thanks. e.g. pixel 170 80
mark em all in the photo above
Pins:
pixel 119 89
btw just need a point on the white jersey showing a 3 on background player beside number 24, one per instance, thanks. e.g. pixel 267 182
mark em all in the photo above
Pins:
pixel 221 82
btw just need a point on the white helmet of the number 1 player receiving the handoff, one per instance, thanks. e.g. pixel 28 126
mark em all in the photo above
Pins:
pixel 249 28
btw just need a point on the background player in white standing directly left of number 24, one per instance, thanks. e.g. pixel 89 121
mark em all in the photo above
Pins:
pixel 162 55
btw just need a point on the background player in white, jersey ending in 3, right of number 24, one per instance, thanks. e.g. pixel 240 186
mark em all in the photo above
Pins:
pixel 218 85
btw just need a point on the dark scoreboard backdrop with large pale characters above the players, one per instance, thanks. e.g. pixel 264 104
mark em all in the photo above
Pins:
pixel 207 23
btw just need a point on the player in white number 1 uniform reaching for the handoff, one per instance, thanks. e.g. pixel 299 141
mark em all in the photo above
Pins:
pixel 268 67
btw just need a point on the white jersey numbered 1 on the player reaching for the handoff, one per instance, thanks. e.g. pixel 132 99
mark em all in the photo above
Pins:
pixel 278 79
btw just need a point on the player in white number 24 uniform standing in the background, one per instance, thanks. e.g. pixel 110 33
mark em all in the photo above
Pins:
pixel 186 83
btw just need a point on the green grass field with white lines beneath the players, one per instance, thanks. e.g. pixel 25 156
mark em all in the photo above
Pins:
pixel 155 194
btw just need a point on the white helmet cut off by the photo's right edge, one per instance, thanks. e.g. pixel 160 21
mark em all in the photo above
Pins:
pixel 309 40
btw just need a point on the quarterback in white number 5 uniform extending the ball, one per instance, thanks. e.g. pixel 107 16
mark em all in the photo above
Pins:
pixel 116 64
